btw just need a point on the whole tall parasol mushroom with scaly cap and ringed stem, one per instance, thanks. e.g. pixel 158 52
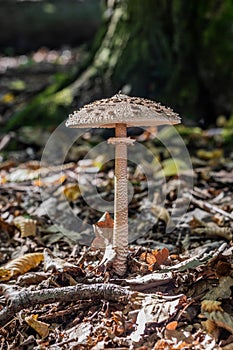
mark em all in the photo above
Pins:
pixel 119 112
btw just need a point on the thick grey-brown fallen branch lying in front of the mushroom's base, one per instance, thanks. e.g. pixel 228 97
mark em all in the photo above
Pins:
pixel 25 299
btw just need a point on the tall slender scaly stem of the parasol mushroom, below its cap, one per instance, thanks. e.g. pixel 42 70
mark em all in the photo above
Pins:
pixel 120 229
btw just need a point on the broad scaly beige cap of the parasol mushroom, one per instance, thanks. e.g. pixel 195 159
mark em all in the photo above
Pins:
pixel 122 109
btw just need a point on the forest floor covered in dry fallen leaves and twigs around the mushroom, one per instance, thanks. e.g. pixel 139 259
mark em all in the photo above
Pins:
pixel 58 288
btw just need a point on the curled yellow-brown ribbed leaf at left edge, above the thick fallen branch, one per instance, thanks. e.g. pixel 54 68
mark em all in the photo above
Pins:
pixel 20 265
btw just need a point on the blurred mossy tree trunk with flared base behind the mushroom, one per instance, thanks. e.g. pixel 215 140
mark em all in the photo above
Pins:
pixel 174 51
